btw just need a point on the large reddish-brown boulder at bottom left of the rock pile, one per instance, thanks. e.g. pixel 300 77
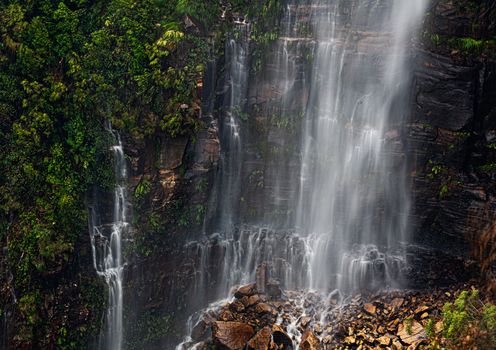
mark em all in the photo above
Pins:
pixel 233 335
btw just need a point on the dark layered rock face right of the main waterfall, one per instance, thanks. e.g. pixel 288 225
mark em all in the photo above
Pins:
pixel 448 140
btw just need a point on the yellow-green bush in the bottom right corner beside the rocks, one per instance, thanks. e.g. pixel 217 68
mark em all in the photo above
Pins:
pixel 467 323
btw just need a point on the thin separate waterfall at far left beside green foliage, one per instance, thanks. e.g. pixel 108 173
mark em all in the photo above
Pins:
pixel 106 242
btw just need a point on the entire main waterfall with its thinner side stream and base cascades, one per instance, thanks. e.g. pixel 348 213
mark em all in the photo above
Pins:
pixel 343 66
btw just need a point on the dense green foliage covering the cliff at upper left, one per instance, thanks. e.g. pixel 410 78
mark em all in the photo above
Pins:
pixel 67 66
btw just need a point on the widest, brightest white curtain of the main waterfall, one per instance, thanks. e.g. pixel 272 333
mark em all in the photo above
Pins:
pixel 354 200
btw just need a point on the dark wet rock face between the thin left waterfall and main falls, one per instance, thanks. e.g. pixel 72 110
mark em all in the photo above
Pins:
pixel 170 180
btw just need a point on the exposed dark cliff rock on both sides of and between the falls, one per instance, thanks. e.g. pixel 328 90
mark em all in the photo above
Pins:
pixel 449 140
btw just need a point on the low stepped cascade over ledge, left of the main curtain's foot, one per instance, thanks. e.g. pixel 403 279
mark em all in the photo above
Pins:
pixel 227 261
